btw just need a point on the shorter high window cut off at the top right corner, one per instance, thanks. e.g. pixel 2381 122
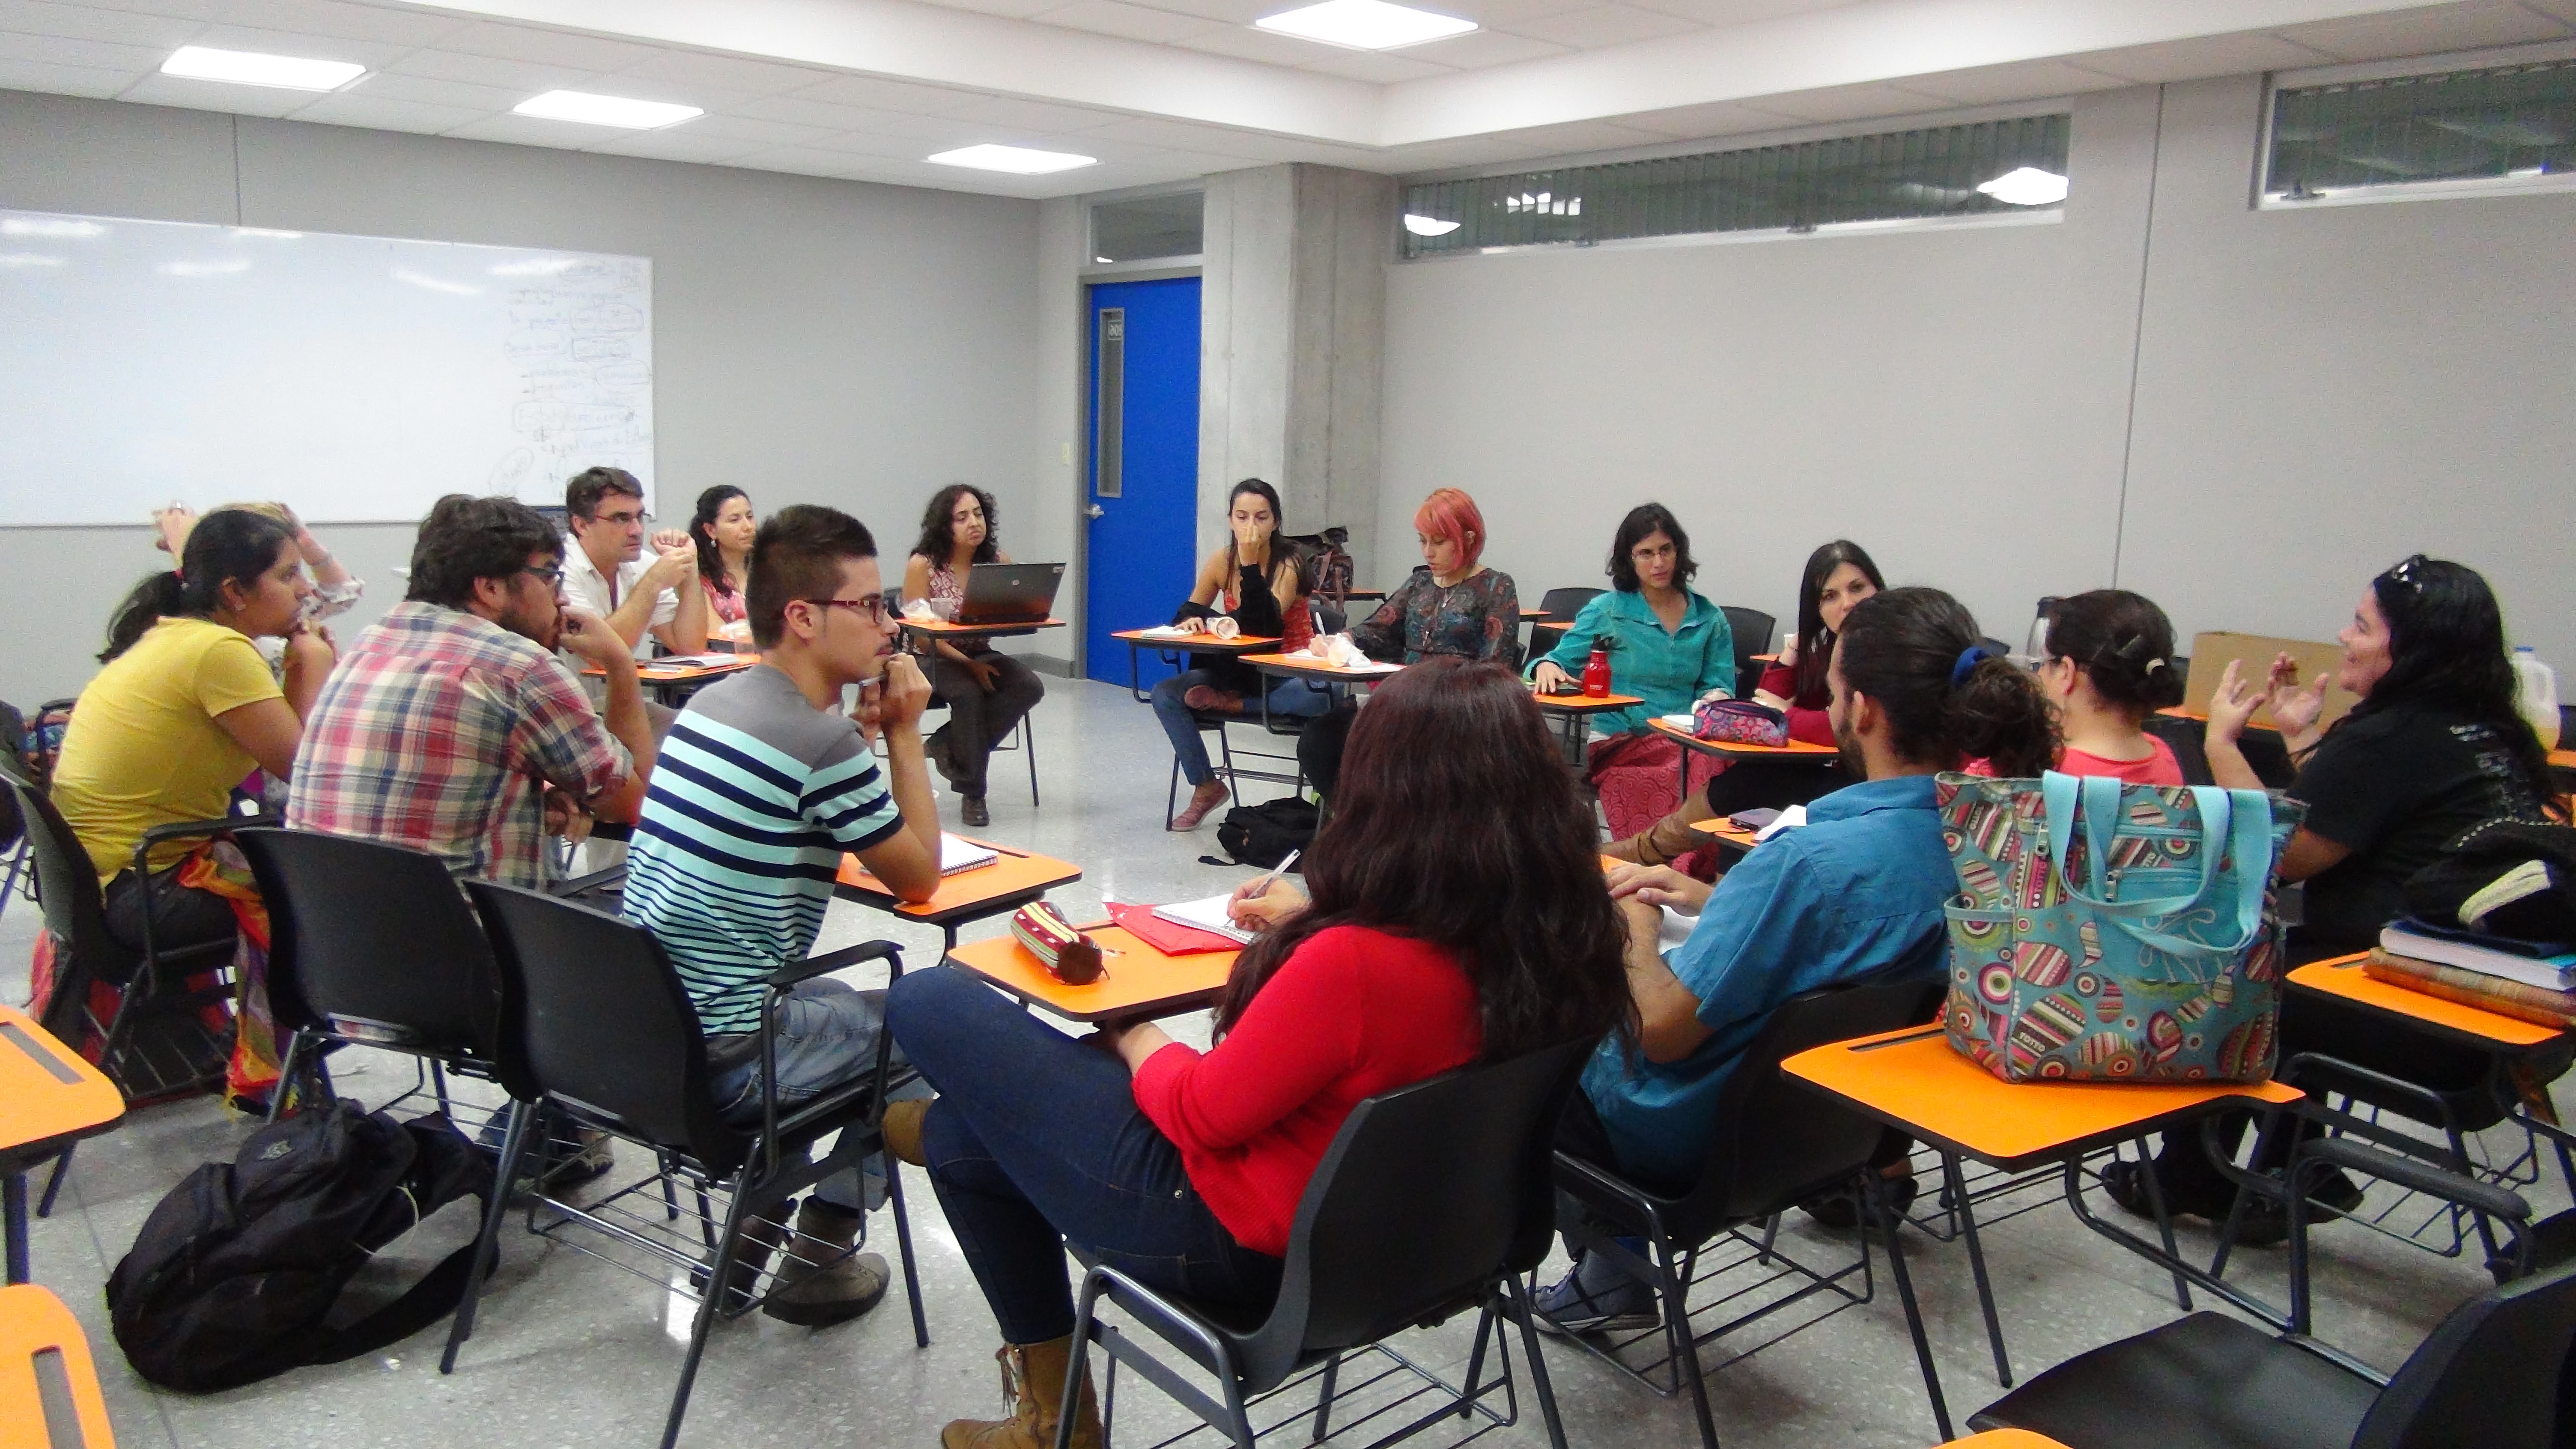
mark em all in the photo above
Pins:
pixel 2467 125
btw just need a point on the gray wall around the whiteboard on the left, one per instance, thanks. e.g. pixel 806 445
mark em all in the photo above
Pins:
pixel 818 342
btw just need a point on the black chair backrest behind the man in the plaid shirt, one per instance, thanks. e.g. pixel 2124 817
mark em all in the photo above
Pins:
pixel 375 937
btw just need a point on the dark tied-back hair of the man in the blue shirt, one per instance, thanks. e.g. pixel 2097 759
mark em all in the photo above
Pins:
pixel 1923 659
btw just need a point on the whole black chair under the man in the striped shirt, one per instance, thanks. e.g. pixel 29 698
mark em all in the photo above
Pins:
pixel 596 1025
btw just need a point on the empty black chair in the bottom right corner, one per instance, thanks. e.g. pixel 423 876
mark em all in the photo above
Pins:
pixel 2490 1376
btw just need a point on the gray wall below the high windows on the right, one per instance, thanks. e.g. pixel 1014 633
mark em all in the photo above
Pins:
pixel 2317 393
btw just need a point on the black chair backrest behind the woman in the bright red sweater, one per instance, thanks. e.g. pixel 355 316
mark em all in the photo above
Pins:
pixel 1423 1198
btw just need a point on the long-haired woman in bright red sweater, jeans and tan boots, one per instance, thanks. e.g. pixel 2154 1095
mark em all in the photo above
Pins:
pixel 1186 1167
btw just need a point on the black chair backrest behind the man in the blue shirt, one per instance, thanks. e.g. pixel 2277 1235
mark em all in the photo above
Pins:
pixel 1776 1138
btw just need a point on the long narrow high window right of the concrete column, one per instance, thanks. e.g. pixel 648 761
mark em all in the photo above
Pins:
pixel 1895 177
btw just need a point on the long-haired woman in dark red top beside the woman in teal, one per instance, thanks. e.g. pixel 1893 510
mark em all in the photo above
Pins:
pixel 1838 576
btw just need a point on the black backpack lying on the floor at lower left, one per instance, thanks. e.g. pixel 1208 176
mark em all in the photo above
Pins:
pixel 233 1275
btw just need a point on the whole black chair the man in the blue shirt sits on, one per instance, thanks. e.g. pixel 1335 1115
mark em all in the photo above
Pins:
pixel 1776 1146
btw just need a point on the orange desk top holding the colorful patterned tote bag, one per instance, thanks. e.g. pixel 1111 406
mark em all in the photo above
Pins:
pixel 1918 1084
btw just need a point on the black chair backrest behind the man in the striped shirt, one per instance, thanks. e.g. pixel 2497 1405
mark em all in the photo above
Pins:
pixel 594 1012
